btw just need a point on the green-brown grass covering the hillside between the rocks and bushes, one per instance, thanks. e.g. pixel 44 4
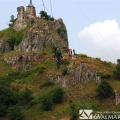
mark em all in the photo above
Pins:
pixel 84 94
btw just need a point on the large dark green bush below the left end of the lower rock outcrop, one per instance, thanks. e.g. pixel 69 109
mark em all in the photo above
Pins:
pixel 50 98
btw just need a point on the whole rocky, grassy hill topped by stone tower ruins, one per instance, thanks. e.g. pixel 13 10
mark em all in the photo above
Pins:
pixel 29 75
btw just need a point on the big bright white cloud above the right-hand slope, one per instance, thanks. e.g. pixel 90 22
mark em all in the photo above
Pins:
pixel 101 39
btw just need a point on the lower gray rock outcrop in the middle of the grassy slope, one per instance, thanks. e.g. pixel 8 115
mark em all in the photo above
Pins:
pixel 80 75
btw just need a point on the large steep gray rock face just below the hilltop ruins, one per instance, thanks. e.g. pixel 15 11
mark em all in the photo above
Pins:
pixel 44 34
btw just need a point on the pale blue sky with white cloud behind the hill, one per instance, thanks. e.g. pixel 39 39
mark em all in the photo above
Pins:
pixel 93 25
